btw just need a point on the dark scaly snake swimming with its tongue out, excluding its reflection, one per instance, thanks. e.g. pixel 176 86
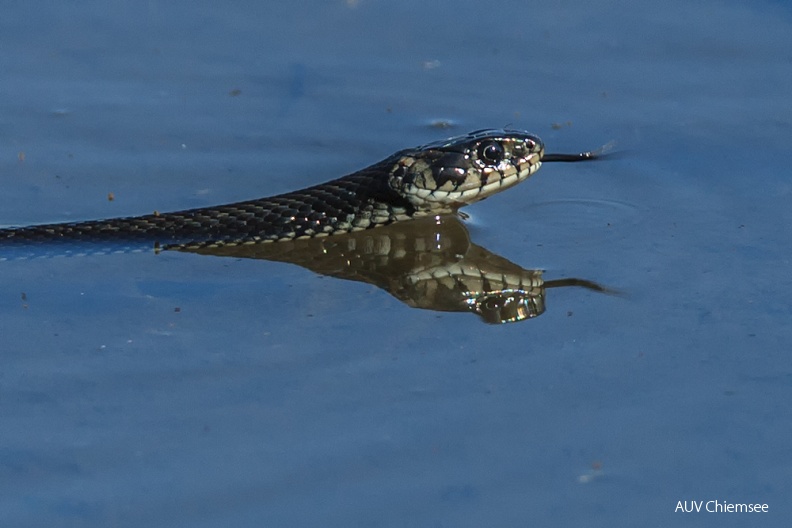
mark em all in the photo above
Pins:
pixel 433 179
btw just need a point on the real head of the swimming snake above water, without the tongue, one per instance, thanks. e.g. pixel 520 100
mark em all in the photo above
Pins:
pixel 449 174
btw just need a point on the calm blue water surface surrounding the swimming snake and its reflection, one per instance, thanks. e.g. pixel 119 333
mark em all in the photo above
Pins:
pixel 184 390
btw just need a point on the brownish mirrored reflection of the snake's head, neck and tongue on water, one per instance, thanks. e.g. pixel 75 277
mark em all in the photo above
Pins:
pixel 429 263
